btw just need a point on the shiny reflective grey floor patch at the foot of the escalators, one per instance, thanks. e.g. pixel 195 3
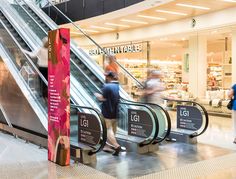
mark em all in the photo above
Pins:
pixel 169 155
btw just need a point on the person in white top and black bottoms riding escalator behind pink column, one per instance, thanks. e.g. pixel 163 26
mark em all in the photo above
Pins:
pixel 42 54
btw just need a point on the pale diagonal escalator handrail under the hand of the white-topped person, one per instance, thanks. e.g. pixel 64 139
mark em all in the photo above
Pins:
pixel 28 59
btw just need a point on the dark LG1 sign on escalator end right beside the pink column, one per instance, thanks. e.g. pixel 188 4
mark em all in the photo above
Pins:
pixel 89 130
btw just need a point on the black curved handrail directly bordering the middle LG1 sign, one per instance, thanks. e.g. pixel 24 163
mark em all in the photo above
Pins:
pixel 146 142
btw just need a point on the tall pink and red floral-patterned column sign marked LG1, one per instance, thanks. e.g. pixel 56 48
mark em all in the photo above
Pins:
pixel 59 96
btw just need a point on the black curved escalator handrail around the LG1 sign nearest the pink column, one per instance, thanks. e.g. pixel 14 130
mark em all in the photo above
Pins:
pixel 102 122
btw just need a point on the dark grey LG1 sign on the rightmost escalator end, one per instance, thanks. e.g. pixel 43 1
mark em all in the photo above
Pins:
pixel 189 117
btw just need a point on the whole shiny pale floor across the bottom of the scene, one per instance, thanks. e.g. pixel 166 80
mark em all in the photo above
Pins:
pixel 213 157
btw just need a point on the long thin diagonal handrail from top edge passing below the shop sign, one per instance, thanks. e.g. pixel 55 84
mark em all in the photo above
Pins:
pixel 86 35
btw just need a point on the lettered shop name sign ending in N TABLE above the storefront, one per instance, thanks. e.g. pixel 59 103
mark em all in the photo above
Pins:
pixel 132 48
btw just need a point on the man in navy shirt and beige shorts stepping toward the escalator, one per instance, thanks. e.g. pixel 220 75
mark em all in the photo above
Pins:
pixel 110 98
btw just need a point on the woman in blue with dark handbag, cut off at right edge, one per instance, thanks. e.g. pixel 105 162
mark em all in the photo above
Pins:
pixel 232 96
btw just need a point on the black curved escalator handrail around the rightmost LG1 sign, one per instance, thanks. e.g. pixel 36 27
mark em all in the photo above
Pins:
pixel 204 111
